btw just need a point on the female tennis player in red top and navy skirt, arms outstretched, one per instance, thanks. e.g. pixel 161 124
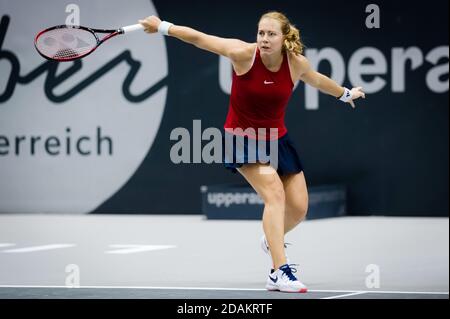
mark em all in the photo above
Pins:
pixel 264 74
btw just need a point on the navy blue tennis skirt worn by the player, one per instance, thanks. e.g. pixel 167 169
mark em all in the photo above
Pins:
pixel 281 153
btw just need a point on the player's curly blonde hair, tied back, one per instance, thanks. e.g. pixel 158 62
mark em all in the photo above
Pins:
pixel 292 42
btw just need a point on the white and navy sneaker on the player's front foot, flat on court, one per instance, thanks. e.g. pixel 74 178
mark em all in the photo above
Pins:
pixel 284 280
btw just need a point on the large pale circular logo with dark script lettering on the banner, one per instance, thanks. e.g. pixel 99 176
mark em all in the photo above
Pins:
pixel 72 134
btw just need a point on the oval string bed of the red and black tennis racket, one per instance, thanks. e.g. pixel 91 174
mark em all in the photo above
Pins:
pixel 66 43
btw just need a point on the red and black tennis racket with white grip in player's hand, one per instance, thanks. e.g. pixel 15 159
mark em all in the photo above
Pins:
pixel 65 43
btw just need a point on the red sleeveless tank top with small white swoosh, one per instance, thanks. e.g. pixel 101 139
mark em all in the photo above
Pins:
pixel 259 99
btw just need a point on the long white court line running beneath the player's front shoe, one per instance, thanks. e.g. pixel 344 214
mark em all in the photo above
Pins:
pixel 225 289
